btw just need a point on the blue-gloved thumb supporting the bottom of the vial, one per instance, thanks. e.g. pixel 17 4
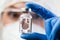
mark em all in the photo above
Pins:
pixel 34 36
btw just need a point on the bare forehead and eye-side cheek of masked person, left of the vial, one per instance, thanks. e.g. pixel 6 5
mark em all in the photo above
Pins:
pixel 9 17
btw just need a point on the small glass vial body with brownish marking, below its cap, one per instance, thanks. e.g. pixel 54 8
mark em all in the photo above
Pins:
pixel 25 23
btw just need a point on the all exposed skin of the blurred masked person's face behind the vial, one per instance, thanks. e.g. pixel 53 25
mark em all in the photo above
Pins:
pixel 10 16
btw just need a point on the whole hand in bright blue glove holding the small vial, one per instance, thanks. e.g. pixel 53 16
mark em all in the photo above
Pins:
pixel 51 24
